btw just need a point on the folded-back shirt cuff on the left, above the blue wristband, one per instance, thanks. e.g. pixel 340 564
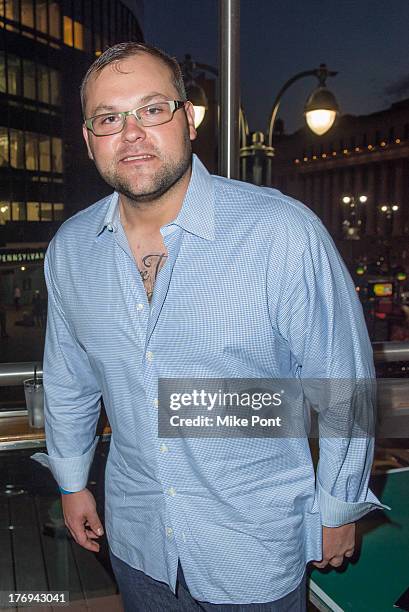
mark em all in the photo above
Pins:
pixel 71 473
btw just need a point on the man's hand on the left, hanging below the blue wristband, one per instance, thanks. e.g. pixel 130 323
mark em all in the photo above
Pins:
pixel 81 518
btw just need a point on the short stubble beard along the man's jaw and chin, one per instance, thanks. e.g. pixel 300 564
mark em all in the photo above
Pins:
pixel 161 182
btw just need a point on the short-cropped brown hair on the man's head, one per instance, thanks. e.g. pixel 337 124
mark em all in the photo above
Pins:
pixel 128 49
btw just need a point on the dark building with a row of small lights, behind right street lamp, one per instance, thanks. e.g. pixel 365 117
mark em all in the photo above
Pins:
pixel 356 178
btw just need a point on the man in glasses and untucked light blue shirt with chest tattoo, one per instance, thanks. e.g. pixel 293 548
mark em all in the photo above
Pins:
pixel 189 275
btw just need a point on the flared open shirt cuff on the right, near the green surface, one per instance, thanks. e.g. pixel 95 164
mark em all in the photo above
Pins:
pixel 335 512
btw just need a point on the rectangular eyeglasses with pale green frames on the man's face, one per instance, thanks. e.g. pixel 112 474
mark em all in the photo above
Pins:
pixel 148 116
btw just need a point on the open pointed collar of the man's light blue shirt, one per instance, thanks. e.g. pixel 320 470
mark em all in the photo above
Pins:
pixel 196 214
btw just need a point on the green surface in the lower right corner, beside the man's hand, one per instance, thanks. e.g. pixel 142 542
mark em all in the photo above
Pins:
pixel 379 572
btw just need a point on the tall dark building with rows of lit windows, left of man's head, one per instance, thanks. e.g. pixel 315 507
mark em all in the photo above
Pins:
pixel 46 47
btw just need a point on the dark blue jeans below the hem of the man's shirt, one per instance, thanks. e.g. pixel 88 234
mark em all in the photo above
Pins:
pixel 140 593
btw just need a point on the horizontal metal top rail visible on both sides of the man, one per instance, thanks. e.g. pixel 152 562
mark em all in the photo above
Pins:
pixel 13 374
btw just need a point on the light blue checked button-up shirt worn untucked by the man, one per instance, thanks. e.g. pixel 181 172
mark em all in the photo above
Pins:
pixel 253 287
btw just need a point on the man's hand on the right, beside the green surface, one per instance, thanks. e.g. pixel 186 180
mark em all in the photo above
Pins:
pixel 337 543
